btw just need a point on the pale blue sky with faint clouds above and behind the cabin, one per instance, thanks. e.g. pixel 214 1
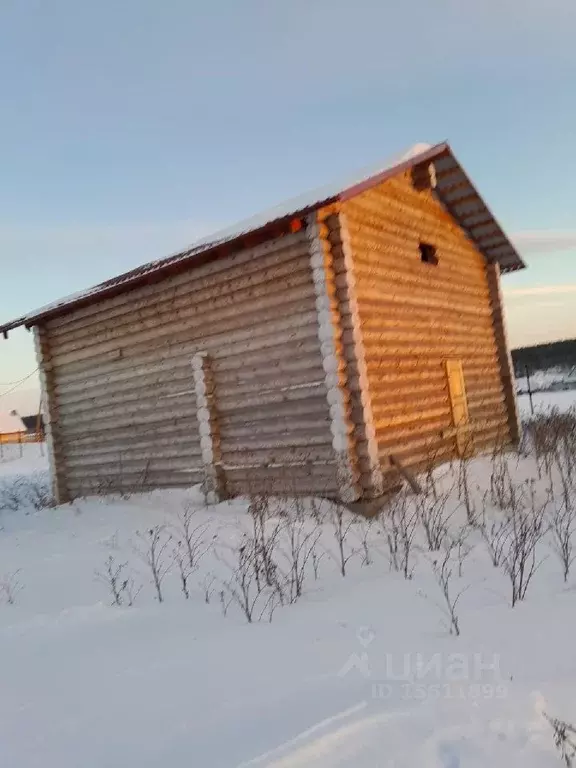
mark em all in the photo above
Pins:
pixel 131 127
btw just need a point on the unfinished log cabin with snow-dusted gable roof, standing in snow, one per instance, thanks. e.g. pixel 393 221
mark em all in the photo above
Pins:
pixel 313 350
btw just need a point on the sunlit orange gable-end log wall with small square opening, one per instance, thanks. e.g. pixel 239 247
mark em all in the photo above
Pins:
pixel 413 316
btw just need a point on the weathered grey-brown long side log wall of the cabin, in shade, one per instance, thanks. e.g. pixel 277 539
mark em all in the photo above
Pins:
pixel 122 390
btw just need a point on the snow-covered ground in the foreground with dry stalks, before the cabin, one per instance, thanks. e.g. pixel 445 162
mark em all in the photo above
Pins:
pixel 362 670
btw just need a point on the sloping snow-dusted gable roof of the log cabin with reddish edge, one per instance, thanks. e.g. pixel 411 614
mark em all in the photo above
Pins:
pixel 453 188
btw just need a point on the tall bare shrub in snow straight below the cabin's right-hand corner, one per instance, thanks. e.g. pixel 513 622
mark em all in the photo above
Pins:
pixel 526 528
